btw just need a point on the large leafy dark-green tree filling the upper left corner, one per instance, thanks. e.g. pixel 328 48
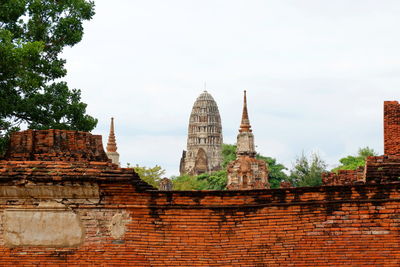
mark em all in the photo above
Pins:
pixel 33 34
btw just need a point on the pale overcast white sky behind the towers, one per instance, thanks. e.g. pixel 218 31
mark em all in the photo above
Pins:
pixel 316 72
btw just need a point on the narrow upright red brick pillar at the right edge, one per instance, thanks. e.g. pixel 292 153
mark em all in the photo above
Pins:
pixel 392 127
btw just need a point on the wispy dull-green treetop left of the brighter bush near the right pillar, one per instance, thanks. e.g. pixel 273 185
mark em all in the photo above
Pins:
pixel 307 172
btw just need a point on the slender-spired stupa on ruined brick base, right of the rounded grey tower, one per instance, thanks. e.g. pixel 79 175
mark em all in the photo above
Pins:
pixel 246 172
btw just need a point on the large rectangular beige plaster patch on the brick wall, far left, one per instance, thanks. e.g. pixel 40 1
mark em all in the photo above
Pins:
pixel 49 228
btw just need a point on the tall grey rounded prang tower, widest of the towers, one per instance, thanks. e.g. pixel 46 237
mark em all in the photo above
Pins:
pixel 204 141
